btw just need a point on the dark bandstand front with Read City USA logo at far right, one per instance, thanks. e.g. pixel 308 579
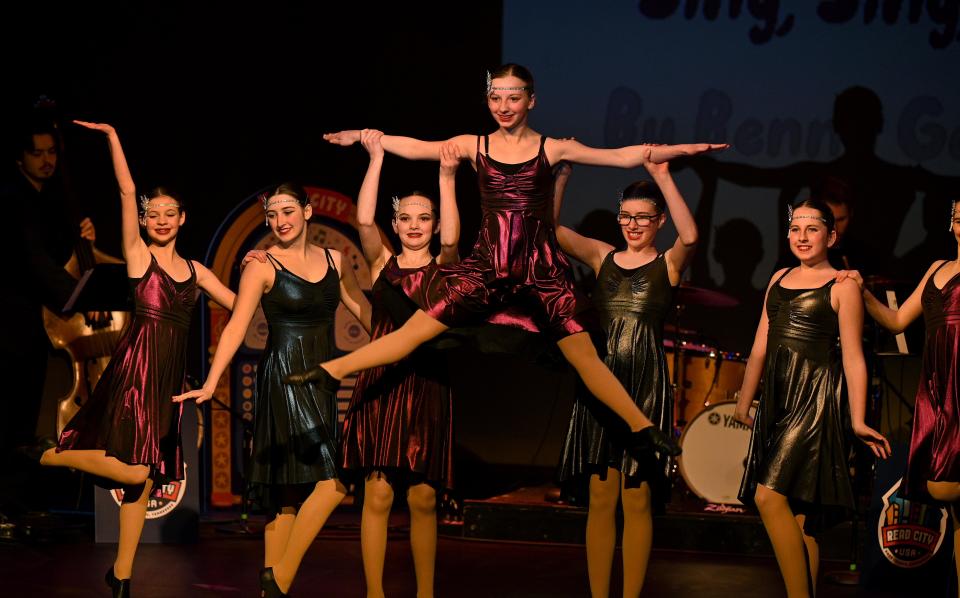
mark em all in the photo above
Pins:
pixel 909 545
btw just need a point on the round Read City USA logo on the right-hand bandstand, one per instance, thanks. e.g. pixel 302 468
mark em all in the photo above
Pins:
pixel 909 533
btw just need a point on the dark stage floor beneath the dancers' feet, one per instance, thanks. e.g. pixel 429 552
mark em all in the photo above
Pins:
pixel 224 563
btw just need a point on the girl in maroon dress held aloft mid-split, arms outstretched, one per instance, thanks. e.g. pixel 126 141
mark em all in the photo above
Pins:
pixel 516 260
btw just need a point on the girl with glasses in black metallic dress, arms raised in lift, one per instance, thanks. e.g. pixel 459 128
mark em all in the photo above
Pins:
pixel 634 295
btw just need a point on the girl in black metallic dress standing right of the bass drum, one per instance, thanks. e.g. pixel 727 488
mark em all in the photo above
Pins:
pixel 814 391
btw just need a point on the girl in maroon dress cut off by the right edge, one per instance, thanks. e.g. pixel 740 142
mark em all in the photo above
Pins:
pixel 933 465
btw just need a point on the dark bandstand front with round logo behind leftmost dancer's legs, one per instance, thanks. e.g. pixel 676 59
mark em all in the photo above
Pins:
pixel 174 516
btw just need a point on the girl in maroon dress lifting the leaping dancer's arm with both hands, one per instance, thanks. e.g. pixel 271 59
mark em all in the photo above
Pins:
pixel 398 428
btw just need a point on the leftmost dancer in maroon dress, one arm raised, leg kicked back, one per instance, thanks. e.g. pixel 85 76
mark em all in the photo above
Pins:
pixel 128 433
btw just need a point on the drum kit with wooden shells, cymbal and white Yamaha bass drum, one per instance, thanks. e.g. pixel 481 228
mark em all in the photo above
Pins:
pixel 706 383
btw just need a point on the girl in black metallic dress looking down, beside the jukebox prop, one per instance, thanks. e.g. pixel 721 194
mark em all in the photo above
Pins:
pixel 295 428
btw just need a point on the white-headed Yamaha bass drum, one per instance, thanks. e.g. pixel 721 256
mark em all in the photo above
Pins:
pixel 715 454
